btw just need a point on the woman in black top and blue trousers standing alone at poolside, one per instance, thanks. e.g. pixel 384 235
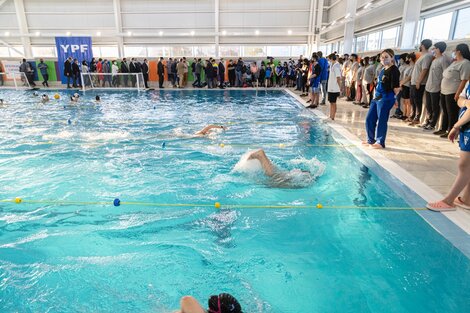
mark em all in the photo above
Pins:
pixel 388 87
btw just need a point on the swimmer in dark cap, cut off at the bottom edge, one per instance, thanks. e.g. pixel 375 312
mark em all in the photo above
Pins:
pixel 223 303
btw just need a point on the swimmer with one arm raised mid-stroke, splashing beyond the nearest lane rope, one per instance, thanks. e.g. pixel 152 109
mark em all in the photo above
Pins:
pixel 281 179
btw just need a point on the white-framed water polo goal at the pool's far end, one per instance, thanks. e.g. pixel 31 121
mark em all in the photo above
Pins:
pixel 112 81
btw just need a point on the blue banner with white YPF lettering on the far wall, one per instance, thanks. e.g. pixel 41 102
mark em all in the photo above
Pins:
pixel 76 47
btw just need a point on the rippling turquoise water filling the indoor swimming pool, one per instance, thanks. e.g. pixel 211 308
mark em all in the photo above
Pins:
pixel 136 258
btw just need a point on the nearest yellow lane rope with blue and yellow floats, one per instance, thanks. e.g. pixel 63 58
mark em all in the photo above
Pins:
pixel 230 206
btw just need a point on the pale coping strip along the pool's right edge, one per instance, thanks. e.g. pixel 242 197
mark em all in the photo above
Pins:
pixel 454 226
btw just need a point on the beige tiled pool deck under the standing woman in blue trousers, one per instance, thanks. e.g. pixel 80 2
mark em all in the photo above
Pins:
pixel 424 162
